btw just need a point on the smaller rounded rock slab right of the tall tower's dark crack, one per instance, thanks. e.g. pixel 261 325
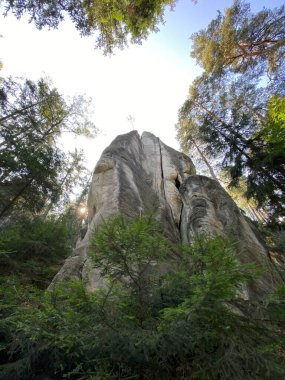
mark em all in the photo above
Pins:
pixel 208 209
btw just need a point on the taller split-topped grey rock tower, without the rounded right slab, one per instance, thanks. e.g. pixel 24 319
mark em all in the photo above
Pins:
pixel 134 175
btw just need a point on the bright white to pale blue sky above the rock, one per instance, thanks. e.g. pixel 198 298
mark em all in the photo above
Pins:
pixel 149 81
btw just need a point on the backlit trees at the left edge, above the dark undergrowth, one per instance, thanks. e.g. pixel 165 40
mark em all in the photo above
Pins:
pixel 32 118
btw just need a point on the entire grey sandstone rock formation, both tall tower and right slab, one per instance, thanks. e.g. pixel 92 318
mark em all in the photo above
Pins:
pixel 141 174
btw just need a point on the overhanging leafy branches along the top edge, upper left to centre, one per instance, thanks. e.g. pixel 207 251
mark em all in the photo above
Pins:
pixel 115 22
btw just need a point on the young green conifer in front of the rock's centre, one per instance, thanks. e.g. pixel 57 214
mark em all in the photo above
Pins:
pixel 131 257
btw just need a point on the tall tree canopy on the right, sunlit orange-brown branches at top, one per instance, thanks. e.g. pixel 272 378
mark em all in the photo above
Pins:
pixel 235 107
